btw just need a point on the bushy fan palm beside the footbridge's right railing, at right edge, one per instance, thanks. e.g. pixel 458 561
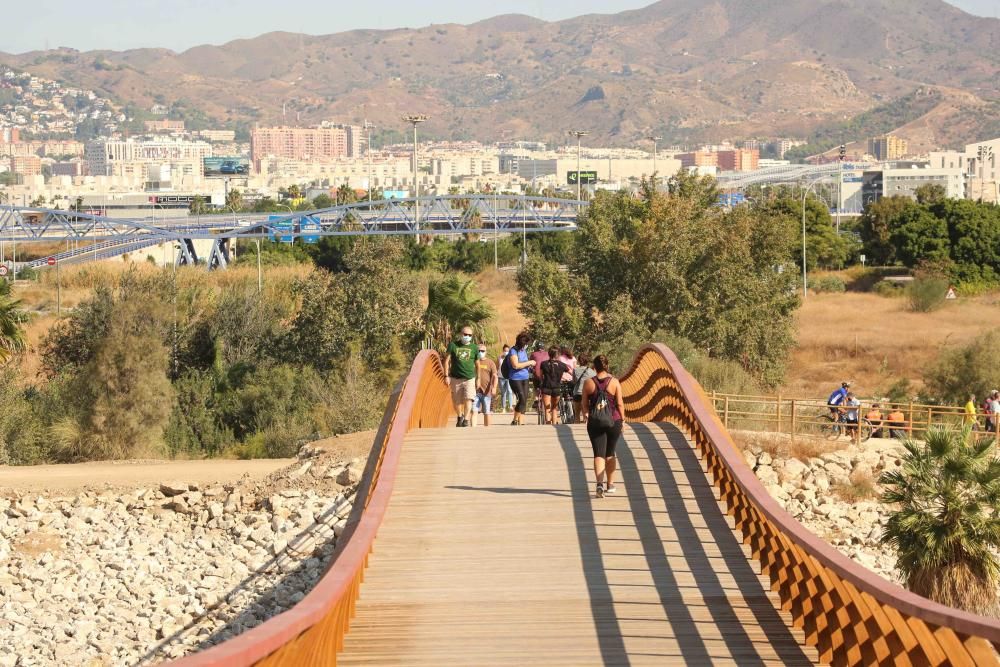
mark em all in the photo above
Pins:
pixel 946 531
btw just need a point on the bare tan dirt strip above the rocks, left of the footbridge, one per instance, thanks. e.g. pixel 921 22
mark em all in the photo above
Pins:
pixel 120 475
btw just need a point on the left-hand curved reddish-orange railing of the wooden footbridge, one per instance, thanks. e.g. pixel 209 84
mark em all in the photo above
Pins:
pixel 312 632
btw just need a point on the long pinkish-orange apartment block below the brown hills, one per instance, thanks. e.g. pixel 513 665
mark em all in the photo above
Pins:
pixel 305 143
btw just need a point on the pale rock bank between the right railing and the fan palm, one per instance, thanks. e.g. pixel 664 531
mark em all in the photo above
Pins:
pixel 835 495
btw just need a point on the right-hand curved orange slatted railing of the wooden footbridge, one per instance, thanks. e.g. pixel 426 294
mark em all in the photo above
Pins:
pixel 853 616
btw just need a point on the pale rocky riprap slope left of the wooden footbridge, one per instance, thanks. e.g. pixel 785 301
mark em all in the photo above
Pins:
pixel 136 577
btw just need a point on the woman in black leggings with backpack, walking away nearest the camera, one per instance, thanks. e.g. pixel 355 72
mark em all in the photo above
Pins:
pixel 603 410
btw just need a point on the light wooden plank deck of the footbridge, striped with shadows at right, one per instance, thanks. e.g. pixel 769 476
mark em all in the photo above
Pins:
pixel 495 552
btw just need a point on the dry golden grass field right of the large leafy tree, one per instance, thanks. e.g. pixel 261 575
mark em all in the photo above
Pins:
pixel 876 341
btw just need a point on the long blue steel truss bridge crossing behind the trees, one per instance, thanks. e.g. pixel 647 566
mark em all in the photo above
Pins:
pixel 92 237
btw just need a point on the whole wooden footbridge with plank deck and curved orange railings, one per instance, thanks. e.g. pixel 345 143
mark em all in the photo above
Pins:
pixel 486 546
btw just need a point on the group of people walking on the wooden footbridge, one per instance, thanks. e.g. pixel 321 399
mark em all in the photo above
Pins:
pixel 475 378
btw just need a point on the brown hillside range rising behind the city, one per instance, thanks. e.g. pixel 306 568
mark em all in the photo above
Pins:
pixel 685 69
